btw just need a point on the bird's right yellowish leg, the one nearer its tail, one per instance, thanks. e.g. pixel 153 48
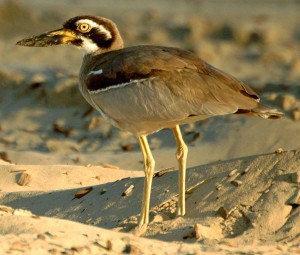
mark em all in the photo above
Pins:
pixel 181 155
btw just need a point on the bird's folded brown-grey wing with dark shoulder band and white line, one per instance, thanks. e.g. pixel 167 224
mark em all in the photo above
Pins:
pixel 160 83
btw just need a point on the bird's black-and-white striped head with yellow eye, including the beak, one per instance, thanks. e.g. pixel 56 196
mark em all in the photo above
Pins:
pixel 91 33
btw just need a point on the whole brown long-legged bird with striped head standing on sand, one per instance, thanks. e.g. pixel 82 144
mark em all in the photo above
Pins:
pixel 145 88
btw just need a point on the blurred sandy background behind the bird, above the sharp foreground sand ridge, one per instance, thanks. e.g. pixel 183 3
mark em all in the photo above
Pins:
pixel 45 120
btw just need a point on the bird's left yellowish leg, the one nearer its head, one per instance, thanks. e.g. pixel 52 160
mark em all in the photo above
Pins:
pixel 149 170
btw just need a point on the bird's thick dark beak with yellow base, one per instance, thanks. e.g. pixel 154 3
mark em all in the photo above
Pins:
pixel 56 37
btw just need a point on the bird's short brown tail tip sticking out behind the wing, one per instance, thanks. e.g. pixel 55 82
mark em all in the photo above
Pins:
pixel 261 111
